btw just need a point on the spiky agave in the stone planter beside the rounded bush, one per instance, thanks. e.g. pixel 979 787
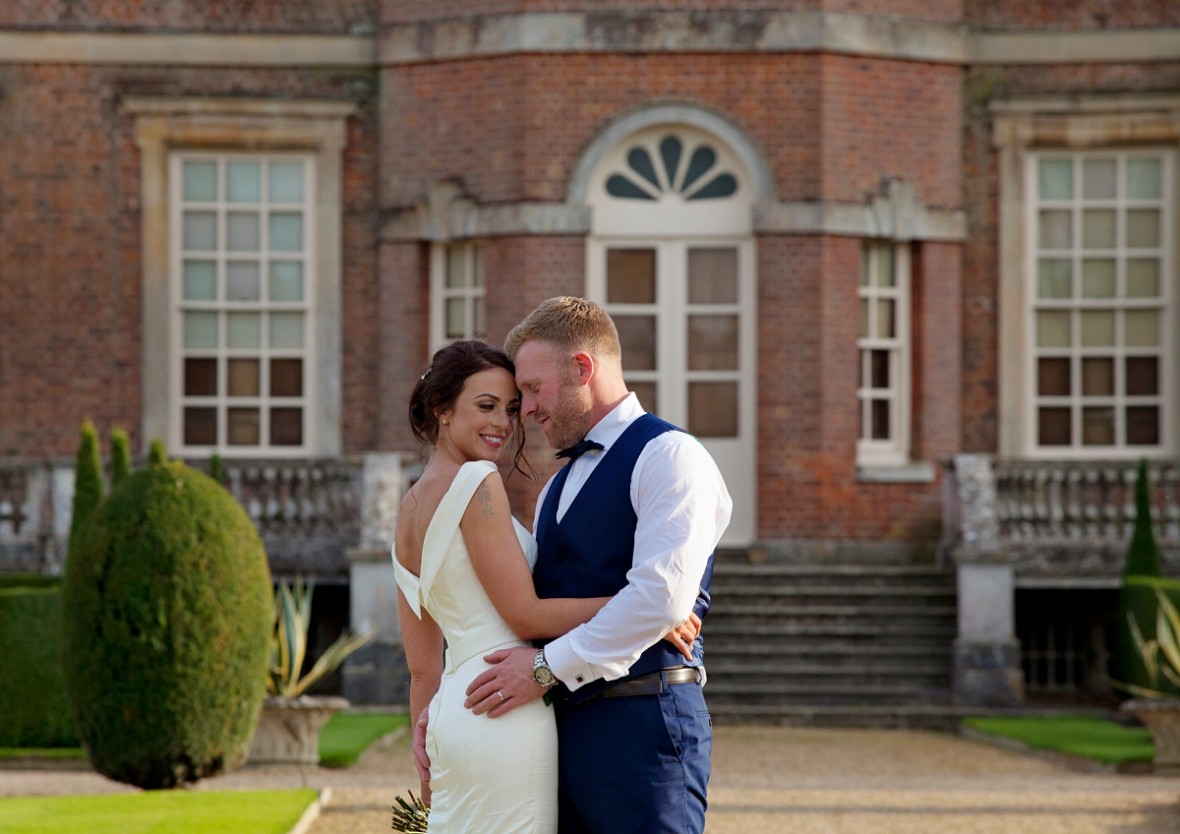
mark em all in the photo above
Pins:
pixel 289 646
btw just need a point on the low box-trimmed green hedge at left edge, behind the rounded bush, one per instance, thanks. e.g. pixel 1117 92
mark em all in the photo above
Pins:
pixel 35 711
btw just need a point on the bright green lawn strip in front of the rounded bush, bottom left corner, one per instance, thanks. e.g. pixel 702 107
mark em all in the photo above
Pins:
pixel 159 812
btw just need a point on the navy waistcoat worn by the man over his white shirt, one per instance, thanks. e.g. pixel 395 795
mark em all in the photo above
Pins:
pixel 591 551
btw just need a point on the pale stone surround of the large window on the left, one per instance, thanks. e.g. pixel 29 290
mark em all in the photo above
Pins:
pixel 316 128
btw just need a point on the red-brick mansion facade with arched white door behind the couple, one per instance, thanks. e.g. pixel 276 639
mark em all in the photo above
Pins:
pixel 907 267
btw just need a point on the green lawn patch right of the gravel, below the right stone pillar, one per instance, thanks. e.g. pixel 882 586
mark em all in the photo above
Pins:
pixel 1078 736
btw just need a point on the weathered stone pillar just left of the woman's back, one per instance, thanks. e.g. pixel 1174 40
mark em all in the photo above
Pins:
pixel 377 673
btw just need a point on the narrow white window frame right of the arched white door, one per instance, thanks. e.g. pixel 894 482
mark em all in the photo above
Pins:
pixel 894 451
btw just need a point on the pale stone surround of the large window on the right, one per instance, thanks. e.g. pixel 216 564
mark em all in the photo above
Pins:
pixel 1071 124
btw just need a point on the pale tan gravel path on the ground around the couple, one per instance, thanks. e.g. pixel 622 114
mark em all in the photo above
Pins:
pixel 772 780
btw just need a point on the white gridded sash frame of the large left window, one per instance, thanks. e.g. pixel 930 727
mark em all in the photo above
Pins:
pixel 224 308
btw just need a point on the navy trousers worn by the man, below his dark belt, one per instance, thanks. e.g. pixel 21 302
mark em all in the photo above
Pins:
pixel 635 765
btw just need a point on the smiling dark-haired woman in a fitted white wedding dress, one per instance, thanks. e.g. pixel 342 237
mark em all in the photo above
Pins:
pixel 463 567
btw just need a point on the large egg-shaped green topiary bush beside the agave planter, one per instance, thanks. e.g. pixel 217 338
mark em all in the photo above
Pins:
pixel 168 616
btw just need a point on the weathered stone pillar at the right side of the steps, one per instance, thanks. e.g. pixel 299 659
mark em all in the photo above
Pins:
pixel 987 655
